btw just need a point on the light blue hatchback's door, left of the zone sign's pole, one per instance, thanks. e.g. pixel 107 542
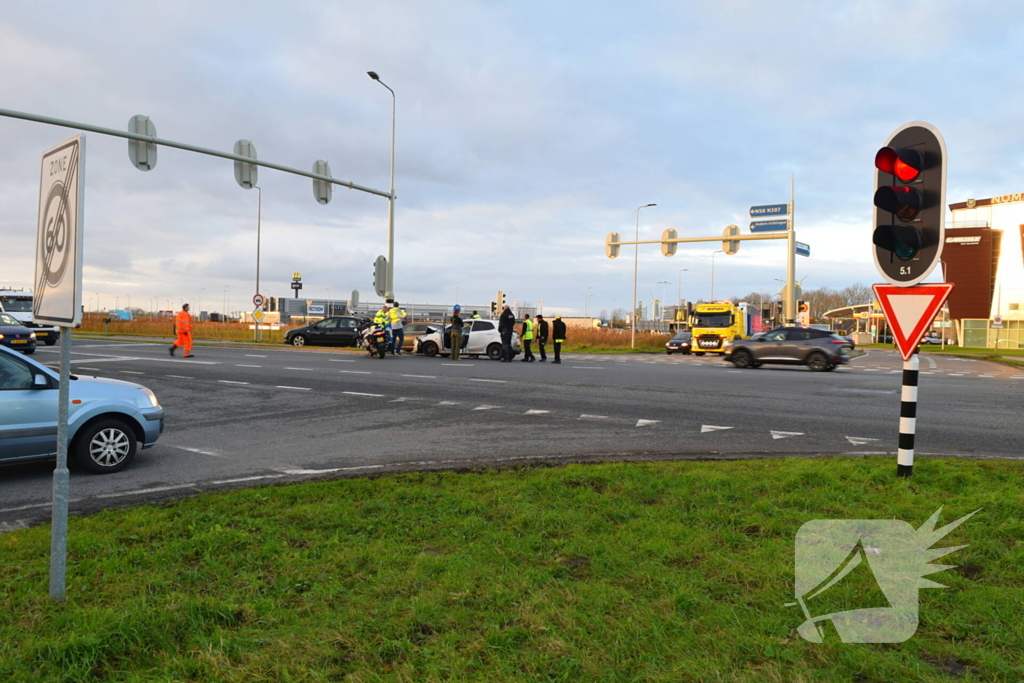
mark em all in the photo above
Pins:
pixel 28 413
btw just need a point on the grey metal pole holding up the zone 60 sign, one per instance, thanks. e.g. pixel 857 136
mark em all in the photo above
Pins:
pixel 59 516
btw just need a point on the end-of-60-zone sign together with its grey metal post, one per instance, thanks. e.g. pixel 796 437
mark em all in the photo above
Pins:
pixel 58 302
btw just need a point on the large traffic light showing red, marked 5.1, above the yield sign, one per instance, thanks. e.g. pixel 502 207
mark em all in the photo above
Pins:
pixel 910 204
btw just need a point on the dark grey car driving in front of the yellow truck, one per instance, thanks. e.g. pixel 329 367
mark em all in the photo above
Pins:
pixel 819 350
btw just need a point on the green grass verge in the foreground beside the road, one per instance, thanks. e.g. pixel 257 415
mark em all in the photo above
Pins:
pixel 643 572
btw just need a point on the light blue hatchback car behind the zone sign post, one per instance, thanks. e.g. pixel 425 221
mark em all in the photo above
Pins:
pixel 108 420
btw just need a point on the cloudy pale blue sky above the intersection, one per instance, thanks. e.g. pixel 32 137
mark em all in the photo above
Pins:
pixel 526 133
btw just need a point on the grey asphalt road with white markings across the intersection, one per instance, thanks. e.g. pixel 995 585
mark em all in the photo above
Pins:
pixel 241 417
